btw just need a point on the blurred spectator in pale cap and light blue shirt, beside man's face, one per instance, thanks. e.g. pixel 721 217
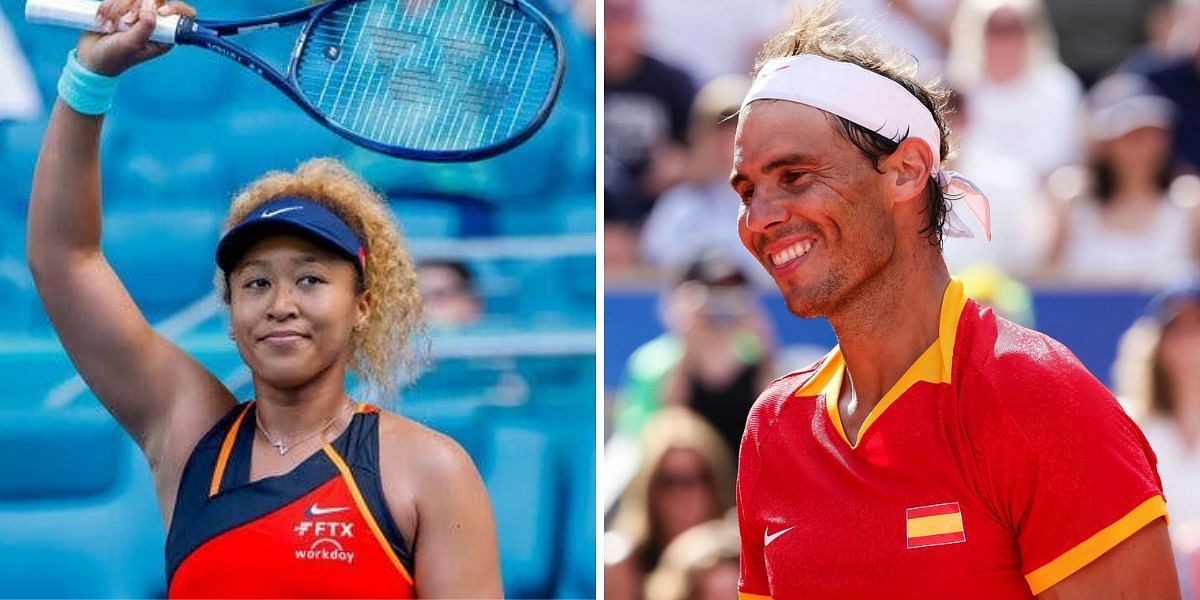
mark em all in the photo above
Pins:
pixel 695 215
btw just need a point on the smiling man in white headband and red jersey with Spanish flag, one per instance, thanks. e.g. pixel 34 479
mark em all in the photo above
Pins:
pixel 939 451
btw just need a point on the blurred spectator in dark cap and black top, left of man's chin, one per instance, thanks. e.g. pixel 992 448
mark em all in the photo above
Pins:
pixel 715 358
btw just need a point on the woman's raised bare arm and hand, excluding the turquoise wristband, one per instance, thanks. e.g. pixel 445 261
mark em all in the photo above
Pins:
pixel 160 395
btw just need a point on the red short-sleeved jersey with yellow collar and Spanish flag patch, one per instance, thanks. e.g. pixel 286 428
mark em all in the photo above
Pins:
pixel 997 467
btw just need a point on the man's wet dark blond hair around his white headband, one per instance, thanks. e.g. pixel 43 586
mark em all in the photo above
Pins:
pixel 818 33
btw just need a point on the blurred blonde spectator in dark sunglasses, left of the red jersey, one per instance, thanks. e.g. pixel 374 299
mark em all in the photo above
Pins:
pixel 685 479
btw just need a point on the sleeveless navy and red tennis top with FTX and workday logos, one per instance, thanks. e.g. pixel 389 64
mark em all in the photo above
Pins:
pixel 320 531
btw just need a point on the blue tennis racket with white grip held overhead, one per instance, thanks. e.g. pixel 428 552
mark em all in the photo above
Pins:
pixel 424 80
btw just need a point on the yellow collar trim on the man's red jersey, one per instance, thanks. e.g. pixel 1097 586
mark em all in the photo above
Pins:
pixel 934 365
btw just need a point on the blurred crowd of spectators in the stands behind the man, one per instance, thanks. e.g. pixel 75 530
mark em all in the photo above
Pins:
pixel 1079 119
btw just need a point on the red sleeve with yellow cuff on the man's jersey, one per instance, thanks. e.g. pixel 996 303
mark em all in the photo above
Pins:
pixel 1063 464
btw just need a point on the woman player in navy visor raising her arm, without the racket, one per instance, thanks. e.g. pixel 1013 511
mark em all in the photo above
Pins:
pixel 302 493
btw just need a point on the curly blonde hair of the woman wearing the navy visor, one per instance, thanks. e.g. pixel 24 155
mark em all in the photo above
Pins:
pixel 393 340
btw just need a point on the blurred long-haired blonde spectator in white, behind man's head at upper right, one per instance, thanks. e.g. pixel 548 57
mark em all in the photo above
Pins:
pixel 1024 103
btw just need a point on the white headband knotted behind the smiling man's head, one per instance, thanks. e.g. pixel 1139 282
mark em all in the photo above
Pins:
pixel 878 104
